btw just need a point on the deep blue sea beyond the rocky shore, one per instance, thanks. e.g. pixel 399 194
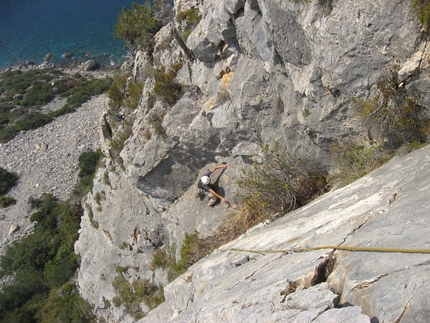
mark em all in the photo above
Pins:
pixel 30 29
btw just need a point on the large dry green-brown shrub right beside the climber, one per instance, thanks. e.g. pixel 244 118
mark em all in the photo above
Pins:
pixel 278 183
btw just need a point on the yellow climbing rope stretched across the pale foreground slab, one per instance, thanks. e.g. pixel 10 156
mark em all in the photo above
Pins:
pixel 347 248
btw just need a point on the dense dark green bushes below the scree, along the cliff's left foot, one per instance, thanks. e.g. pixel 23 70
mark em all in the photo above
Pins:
pixel 43 263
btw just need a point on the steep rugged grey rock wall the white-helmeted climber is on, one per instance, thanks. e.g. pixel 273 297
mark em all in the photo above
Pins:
pixel 262 71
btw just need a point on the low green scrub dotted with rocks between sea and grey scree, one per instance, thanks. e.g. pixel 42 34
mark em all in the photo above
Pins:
pixel 24 93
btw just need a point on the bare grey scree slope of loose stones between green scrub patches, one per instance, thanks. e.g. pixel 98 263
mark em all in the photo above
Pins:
pixel 46 159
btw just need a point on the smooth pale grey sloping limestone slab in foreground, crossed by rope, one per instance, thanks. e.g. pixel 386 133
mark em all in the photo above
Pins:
pixel 248 280
